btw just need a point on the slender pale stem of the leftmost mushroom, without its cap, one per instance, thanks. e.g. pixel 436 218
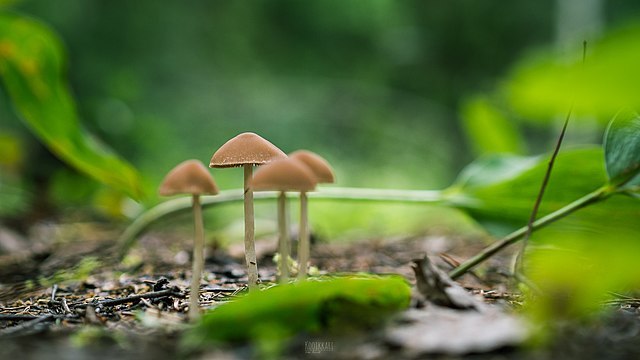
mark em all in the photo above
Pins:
pixel 198 260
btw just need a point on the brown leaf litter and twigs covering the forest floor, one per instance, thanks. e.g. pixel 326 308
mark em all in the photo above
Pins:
pixel 138 310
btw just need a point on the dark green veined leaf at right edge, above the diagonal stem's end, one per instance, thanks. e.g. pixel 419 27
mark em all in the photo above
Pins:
pixel 622 149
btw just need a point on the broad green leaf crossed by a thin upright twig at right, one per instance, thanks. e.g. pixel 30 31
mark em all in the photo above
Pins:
pixel 502 189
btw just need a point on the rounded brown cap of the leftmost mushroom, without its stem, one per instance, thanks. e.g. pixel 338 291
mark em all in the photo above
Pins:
pixel 188 177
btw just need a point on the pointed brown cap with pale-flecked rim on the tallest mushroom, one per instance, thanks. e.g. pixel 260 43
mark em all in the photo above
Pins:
pixel 246 148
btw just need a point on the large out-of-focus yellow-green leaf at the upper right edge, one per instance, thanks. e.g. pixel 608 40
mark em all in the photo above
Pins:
pixel 544 85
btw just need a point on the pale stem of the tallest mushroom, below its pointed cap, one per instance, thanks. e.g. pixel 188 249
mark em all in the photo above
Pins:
pixel 249 231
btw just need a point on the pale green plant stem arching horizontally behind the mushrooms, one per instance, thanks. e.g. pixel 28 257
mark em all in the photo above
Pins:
pixel 182 204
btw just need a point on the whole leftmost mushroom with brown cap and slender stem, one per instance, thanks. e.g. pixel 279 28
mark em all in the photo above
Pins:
pixel 192 177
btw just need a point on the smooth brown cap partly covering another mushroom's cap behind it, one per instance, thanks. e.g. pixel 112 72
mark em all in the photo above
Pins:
pixel 284 175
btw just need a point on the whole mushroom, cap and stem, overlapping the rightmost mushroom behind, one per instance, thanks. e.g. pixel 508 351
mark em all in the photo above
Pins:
pixel 284 175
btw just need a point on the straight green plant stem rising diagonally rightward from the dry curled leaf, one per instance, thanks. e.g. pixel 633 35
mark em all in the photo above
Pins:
pixel 593 197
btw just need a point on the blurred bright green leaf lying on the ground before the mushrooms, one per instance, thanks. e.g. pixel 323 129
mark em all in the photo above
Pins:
pixel 337 304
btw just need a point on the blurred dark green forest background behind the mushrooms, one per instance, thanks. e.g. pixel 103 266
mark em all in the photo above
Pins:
pixel 395 94
